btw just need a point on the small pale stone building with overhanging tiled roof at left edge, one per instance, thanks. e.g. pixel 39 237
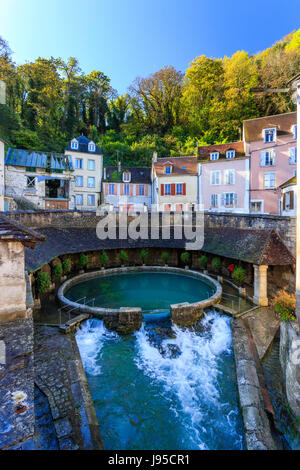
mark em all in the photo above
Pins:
pixel 13 240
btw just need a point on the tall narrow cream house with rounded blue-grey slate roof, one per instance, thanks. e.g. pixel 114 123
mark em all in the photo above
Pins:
pixel 88 167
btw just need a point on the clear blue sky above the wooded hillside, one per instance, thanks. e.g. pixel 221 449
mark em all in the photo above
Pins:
pixel 129 38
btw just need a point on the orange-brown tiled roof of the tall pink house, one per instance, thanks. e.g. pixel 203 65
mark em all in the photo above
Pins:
pixel 283 122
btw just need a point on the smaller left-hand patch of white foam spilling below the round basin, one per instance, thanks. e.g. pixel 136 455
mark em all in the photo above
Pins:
pixel 90 339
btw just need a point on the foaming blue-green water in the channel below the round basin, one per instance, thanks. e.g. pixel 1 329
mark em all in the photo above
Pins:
pixel 165 387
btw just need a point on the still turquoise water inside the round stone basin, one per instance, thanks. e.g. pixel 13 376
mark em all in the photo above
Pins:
pixel 148 290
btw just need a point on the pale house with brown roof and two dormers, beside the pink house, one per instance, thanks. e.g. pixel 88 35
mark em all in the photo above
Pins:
pixel 224 177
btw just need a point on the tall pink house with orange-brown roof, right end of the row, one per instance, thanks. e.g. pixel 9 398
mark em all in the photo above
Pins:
pixel 271 143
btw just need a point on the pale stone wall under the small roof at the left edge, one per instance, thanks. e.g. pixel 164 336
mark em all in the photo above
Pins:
pixel 12 281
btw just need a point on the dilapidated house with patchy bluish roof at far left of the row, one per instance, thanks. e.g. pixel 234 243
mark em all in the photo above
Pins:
pixel 42 180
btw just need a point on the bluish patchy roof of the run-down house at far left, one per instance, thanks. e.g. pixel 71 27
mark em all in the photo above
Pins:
pixel 34 159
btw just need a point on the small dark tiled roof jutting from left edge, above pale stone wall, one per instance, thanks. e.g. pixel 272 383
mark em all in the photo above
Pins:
pixel 13 231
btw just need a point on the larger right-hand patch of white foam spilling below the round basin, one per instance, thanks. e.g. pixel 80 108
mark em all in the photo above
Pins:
pixel 192 376
